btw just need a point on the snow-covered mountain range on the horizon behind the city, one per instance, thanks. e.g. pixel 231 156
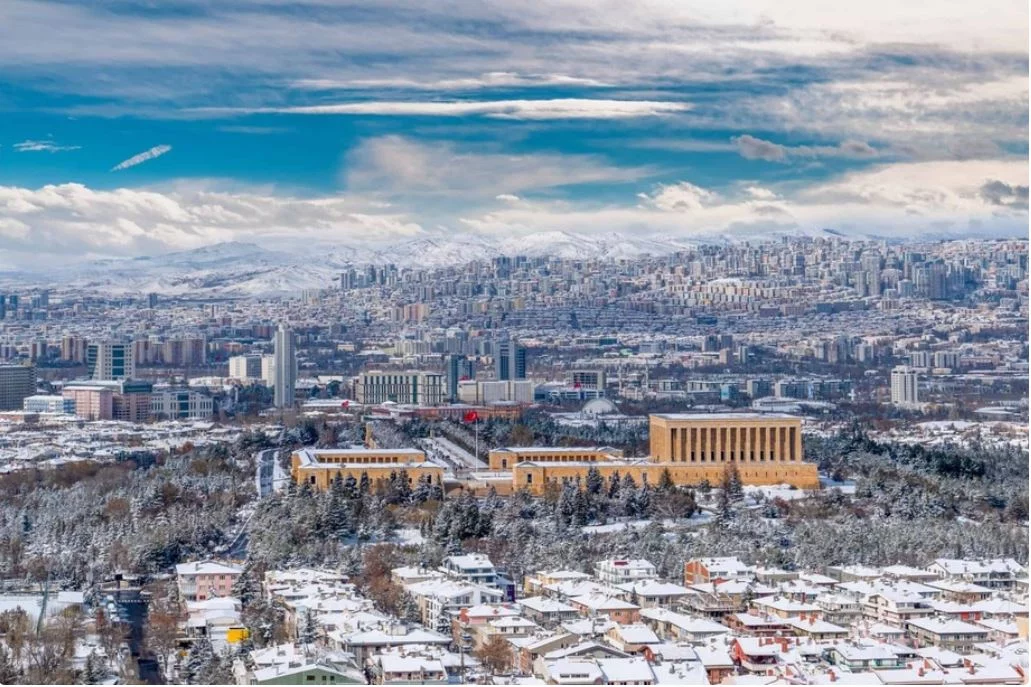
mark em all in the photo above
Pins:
pixel 248 270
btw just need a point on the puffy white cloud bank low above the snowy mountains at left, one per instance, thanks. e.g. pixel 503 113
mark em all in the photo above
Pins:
pixel 75 221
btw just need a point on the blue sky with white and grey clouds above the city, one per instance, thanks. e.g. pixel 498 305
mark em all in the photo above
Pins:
pixel 142 127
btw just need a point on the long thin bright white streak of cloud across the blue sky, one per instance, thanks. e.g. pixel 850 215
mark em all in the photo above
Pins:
pixel 557 109
